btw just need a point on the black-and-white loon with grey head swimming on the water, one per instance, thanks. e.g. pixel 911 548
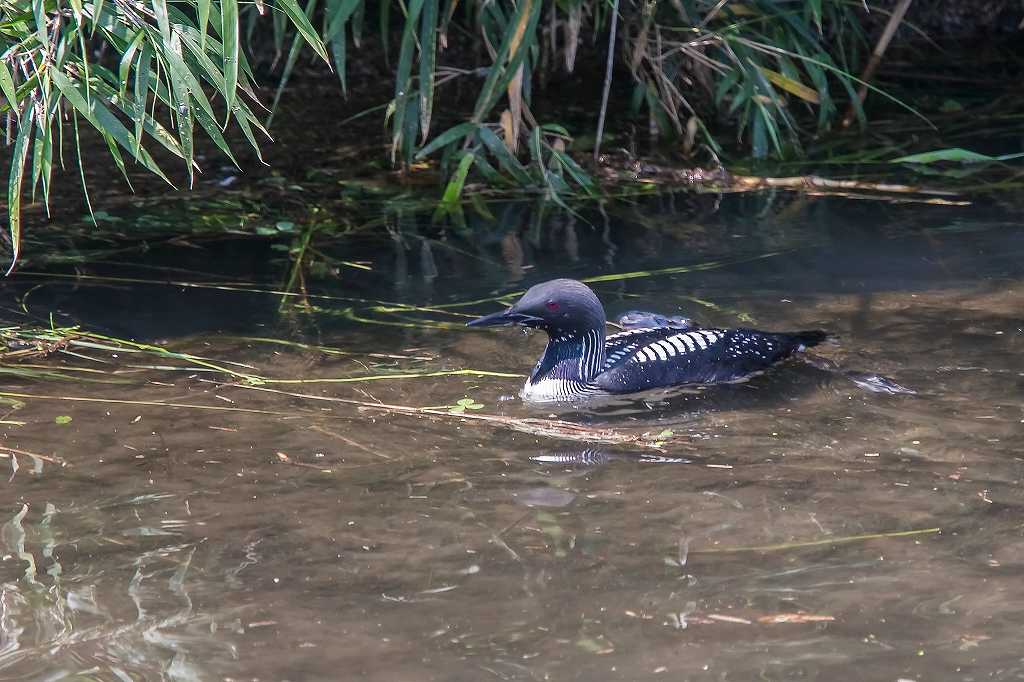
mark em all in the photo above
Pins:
pixel 581 362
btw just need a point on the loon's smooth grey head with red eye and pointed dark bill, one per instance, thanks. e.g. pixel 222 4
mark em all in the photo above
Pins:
pixel 562 308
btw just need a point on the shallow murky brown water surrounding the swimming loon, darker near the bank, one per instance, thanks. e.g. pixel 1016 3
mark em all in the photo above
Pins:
pixel 322 540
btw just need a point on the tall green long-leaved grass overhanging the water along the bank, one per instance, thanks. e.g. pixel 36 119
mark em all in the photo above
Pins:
pixel 159 73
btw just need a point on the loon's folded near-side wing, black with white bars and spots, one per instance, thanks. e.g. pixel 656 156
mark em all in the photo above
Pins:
pixel 638 360
